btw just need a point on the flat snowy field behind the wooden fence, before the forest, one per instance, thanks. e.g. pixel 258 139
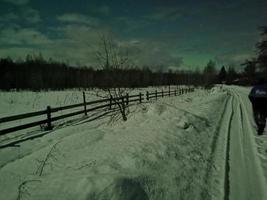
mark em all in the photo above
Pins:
pixel 13 103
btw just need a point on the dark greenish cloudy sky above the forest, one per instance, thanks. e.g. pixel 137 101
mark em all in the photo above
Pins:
pixel 172 33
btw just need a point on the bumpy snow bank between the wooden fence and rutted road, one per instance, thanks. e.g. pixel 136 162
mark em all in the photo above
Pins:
pixel 161 152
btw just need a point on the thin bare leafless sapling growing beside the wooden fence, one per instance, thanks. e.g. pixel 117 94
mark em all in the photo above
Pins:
pixel 113 60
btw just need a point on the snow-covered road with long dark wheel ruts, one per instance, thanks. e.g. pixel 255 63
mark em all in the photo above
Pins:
pixel 244 176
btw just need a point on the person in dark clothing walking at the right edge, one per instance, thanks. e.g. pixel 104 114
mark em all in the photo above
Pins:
pixel 258 98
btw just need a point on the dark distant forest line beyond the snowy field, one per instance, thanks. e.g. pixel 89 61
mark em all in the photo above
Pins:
pixel 36 73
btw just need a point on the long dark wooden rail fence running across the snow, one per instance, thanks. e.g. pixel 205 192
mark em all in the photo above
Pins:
pixel 109 103
